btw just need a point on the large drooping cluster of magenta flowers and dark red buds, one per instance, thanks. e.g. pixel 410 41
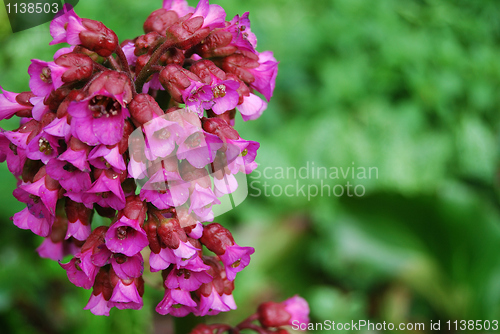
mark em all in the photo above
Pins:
pixel 92 130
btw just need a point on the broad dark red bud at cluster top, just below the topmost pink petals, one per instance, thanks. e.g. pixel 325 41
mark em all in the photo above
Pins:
pixel 187 31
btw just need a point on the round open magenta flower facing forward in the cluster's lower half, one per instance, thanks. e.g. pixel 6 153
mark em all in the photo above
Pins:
pixel 126 236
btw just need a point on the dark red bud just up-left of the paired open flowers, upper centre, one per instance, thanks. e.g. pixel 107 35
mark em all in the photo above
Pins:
pixel 175 79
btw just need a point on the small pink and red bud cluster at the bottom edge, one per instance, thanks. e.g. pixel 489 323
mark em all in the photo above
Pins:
pixel 272 318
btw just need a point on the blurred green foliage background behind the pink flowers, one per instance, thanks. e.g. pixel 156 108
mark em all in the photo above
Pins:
pixel 407 86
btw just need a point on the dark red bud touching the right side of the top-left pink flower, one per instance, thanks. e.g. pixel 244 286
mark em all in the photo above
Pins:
pixel 99 38
